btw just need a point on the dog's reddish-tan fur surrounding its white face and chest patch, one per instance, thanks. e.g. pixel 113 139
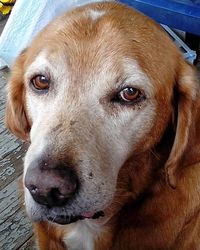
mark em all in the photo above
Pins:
pixel 157 199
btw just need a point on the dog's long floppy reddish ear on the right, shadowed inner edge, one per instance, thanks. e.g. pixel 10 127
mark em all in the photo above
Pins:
pixel 187 114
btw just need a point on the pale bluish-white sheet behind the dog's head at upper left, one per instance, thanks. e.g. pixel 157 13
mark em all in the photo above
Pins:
pixel 26 20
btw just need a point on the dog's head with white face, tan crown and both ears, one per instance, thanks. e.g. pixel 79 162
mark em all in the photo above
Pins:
pixel 94 89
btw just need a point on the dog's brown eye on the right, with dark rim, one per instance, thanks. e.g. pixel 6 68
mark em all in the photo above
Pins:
pixel 129 94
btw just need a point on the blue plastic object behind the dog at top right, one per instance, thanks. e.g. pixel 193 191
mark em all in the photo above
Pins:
pixel 179 14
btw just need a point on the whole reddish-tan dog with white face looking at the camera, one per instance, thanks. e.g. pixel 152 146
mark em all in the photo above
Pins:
pixel 112 113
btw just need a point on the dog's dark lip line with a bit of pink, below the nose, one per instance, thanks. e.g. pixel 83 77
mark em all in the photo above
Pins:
pixel 66 219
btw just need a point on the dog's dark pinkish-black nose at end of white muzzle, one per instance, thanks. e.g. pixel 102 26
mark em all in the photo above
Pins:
pixel 52 186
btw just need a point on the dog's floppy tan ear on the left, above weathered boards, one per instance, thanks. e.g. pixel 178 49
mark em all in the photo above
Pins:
pixel 15 117
